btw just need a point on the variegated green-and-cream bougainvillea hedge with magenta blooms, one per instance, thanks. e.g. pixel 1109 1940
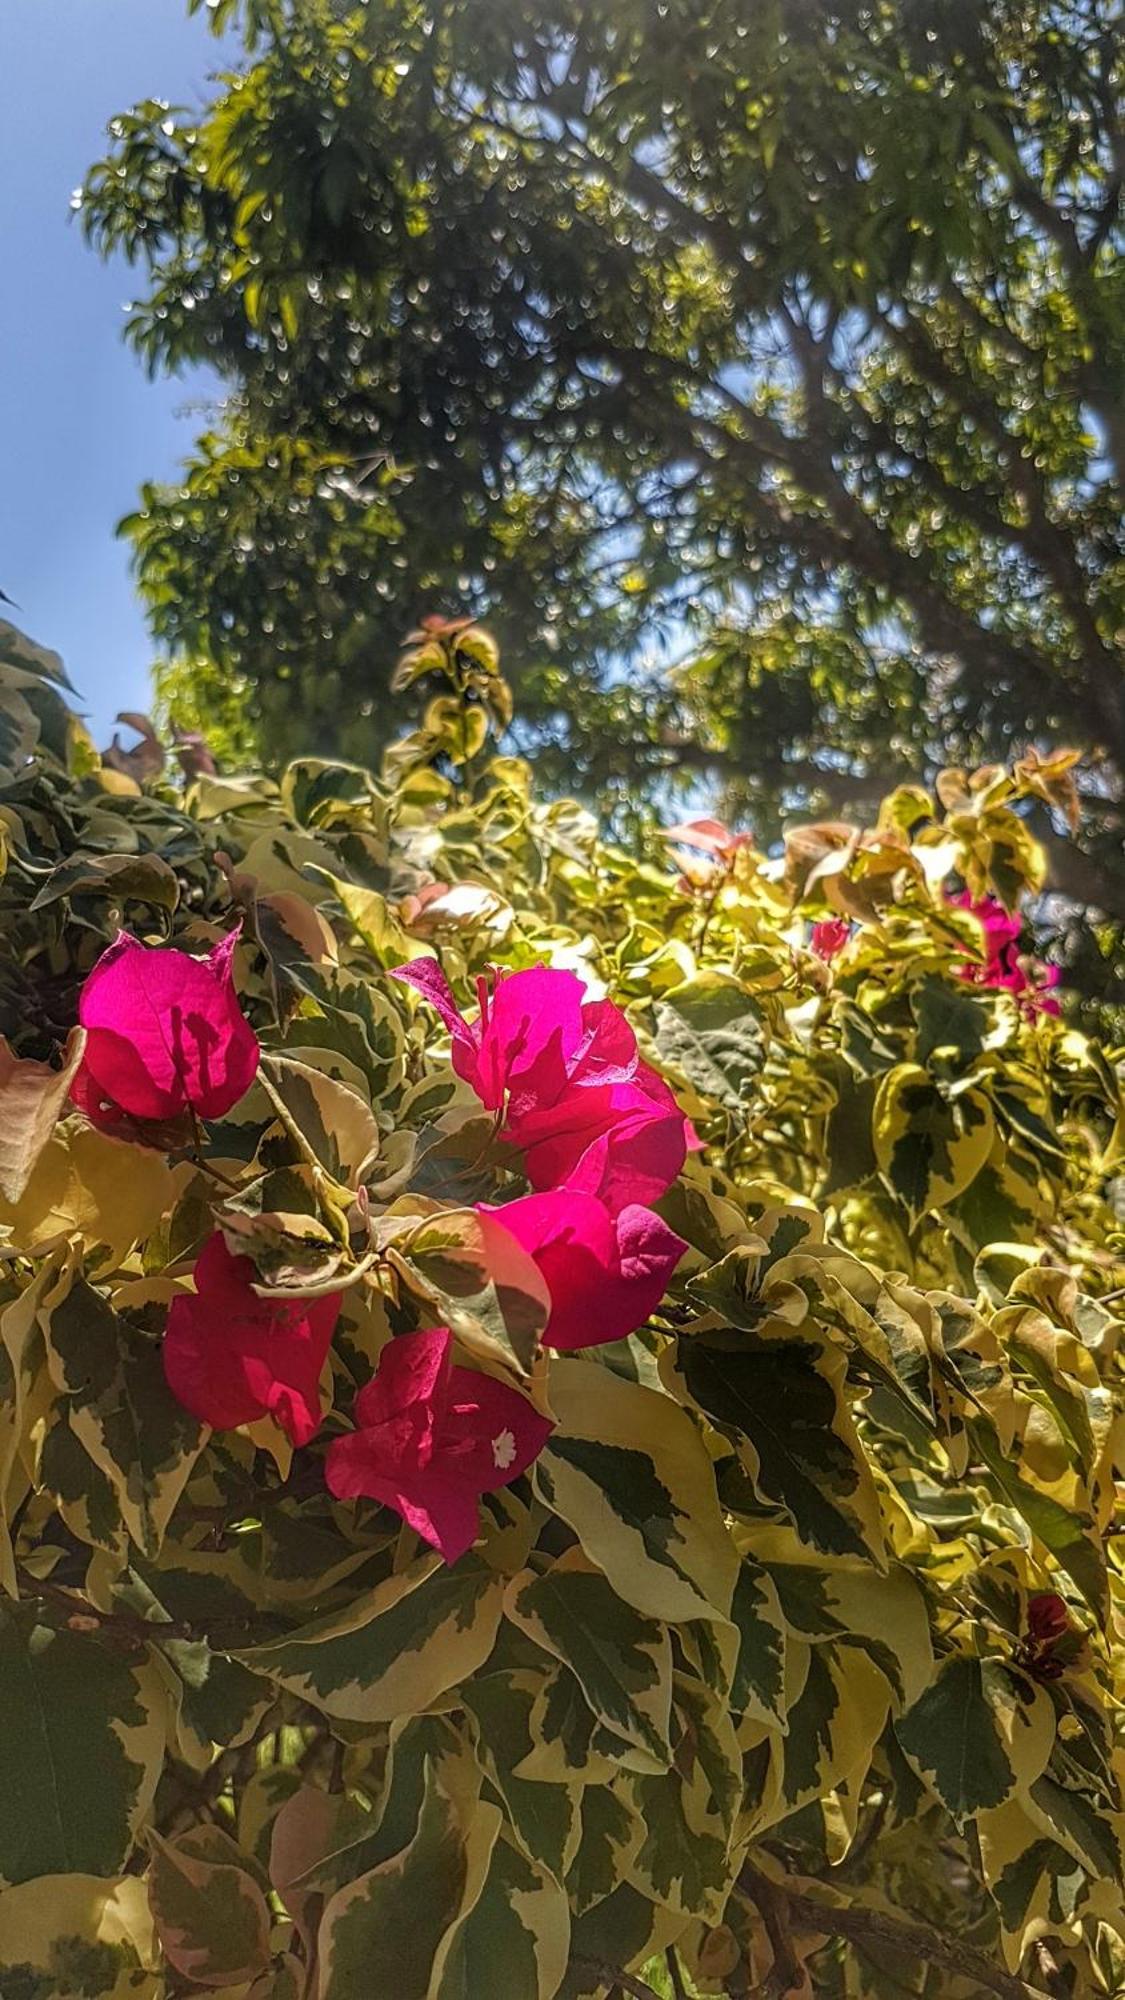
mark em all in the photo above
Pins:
pixel 586 1477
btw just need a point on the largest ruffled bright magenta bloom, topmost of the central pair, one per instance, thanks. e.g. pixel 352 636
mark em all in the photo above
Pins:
pixel 566 1077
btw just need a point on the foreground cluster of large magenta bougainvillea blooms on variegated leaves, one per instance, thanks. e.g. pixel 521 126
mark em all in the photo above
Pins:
pixel 600 1133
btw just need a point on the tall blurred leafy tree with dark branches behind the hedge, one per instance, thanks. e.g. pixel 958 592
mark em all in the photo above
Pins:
pixel 758 367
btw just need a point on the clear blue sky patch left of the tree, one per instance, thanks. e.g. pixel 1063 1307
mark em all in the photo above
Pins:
pixel 81 425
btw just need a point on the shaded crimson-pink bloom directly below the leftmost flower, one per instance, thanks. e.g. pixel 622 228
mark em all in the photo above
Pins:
pixel 233 1357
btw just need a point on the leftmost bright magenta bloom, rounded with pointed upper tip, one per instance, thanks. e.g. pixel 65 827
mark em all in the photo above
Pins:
pixel 165 1033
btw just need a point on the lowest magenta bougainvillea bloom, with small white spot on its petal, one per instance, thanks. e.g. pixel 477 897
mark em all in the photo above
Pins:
pixel 431 1439
